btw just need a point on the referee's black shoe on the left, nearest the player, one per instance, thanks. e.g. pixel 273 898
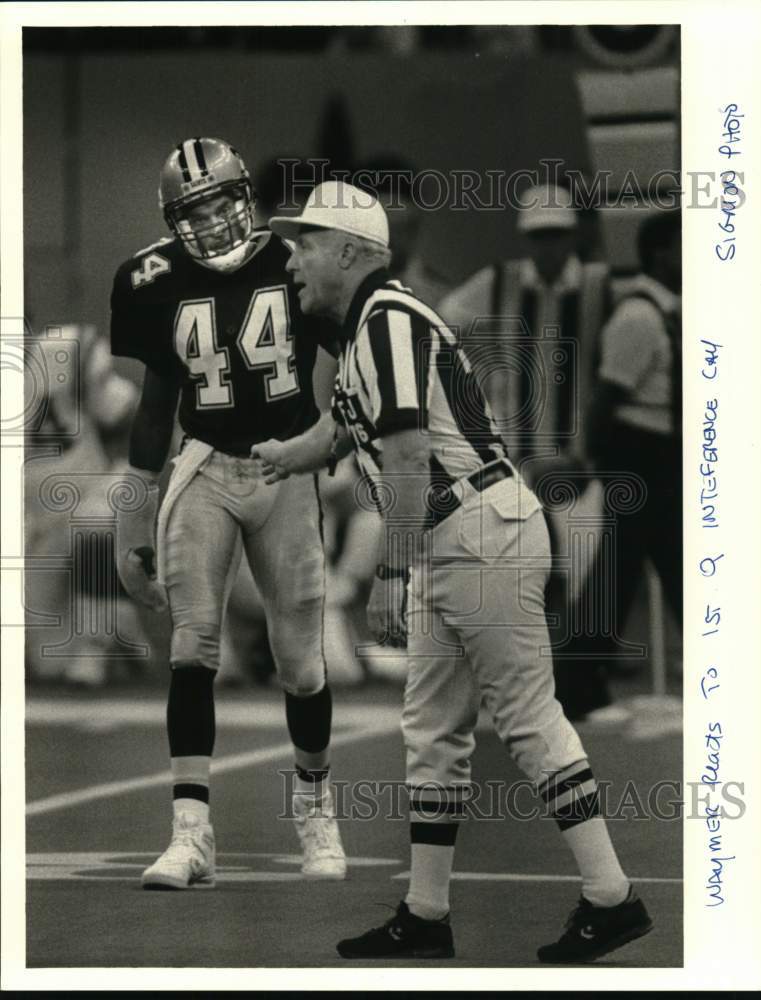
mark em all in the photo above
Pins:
pixel 403 936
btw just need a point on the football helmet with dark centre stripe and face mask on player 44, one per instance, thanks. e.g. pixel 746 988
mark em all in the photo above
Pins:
pixel 204 172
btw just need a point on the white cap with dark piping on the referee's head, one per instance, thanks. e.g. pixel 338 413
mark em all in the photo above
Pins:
pixel 337 205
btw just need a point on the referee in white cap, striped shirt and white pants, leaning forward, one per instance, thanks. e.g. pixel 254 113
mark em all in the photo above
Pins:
pixel 470 534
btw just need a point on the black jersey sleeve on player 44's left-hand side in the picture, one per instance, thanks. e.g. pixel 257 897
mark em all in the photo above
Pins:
pixel 134 330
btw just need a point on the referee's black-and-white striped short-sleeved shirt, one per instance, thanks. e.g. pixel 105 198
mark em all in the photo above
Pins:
pixel 400 368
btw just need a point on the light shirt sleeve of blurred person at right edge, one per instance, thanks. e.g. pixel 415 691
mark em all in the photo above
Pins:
pixel 629 343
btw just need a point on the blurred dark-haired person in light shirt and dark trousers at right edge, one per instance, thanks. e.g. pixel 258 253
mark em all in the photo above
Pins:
pixel 634 424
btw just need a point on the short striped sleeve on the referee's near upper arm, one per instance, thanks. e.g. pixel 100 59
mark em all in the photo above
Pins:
pixel 393 350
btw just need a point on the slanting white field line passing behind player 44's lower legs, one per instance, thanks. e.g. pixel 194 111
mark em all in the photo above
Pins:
pixel 234 762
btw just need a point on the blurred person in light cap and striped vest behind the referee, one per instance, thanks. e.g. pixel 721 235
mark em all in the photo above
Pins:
pixel 530 327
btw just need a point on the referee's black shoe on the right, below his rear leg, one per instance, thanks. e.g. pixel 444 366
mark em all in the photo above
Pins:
pixel 593 931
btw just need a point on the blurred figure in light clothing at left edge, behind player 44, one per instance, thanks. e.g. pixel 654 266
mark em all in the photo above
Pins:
pixel 77 444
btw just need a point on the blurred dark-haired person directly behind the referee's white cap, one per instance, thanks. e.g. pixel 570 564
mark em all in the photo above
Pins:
pixel 390 178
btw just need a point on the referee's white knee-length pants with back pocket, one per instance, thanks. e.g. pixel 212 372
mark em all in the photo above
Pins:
pixel 477 630
